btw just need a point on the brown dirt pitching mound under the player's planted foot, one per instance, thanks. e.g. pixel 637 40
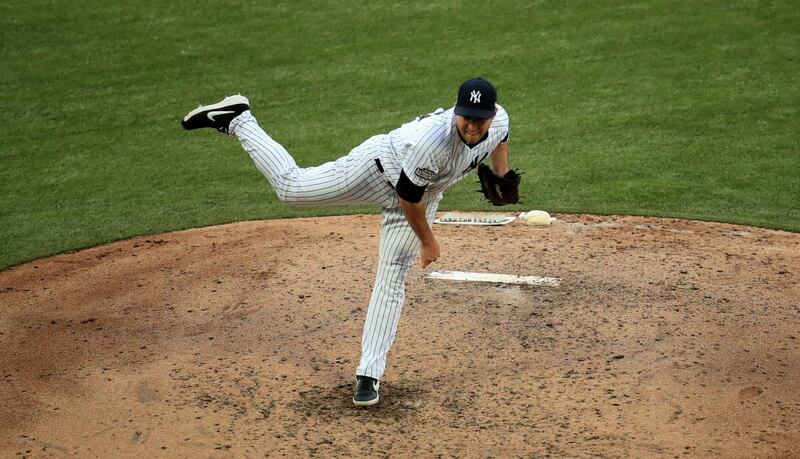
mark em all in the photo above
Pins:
pixel 665 338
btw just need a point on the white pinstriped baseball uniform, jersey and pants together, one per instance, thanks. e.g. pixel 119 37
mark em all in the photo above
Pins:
pixel 429 152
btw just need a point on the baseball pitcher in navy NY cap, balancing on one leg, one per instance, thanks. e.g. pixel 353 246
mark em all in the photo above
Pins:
pixel 405 172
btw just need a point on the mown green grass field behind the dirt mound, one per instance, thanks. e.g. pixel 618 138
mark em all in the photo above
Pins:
pixel 681 109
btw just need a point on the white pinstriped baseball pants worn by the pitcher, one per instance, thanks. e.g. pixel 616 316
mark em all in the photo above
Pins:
pixel 351 179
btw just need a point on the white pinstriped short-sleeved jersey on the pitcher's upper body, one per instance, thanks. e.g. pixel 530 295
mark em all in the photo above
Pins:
pixel 432 154
